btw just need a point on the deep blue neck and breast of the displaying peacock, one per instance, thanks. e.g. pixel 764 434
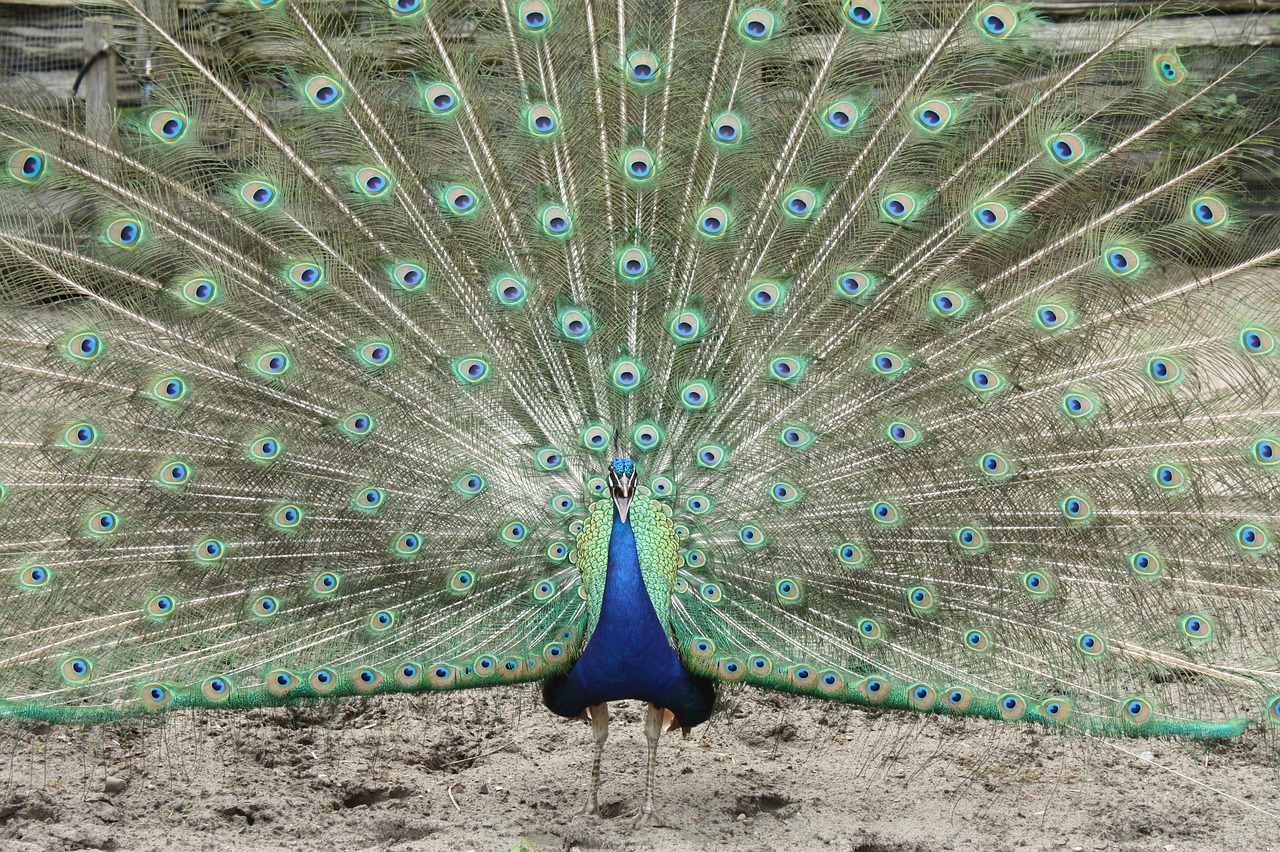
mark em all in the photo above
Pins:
pixel 628 656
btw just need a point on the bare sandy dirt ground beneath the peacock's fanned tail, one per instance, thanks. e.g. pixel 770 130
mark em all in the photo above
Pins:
pixel 495 771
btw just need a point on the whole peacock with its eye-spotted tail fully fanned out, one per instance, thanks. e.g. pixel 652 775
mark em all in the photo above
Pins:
pixel 917 356
